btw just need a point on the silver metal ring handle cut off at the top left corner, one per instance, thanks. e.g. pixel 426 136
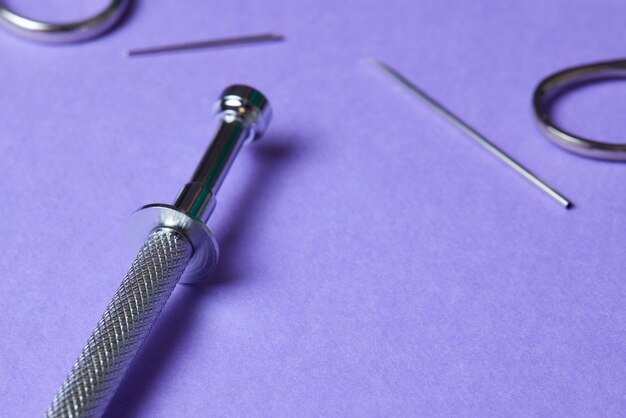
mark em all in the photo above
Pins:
pixel 82 30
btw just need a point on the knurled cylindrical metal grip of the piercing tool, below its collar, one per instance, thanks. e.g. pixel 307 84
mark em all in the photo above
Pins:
pixel 124 326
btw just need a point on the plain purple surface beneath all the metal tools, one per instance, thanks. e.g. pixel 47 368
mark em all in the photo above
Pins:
pixel 375 262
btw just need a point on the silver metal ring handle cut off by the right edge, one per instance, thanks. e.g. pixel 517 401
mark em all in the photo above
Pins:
pixel 565 80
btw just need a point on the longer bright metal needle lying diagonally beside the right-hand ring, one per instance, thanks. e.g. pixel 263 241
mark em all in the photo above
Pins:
pixel 473 134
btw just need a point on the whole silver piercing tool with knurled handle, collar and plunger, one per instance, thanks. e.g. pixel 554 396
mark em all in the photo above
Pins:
pixel 178 245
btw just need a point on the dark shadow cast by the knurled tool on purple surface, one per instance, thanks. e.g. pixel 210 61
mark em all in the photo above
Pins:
pixel 173 326
